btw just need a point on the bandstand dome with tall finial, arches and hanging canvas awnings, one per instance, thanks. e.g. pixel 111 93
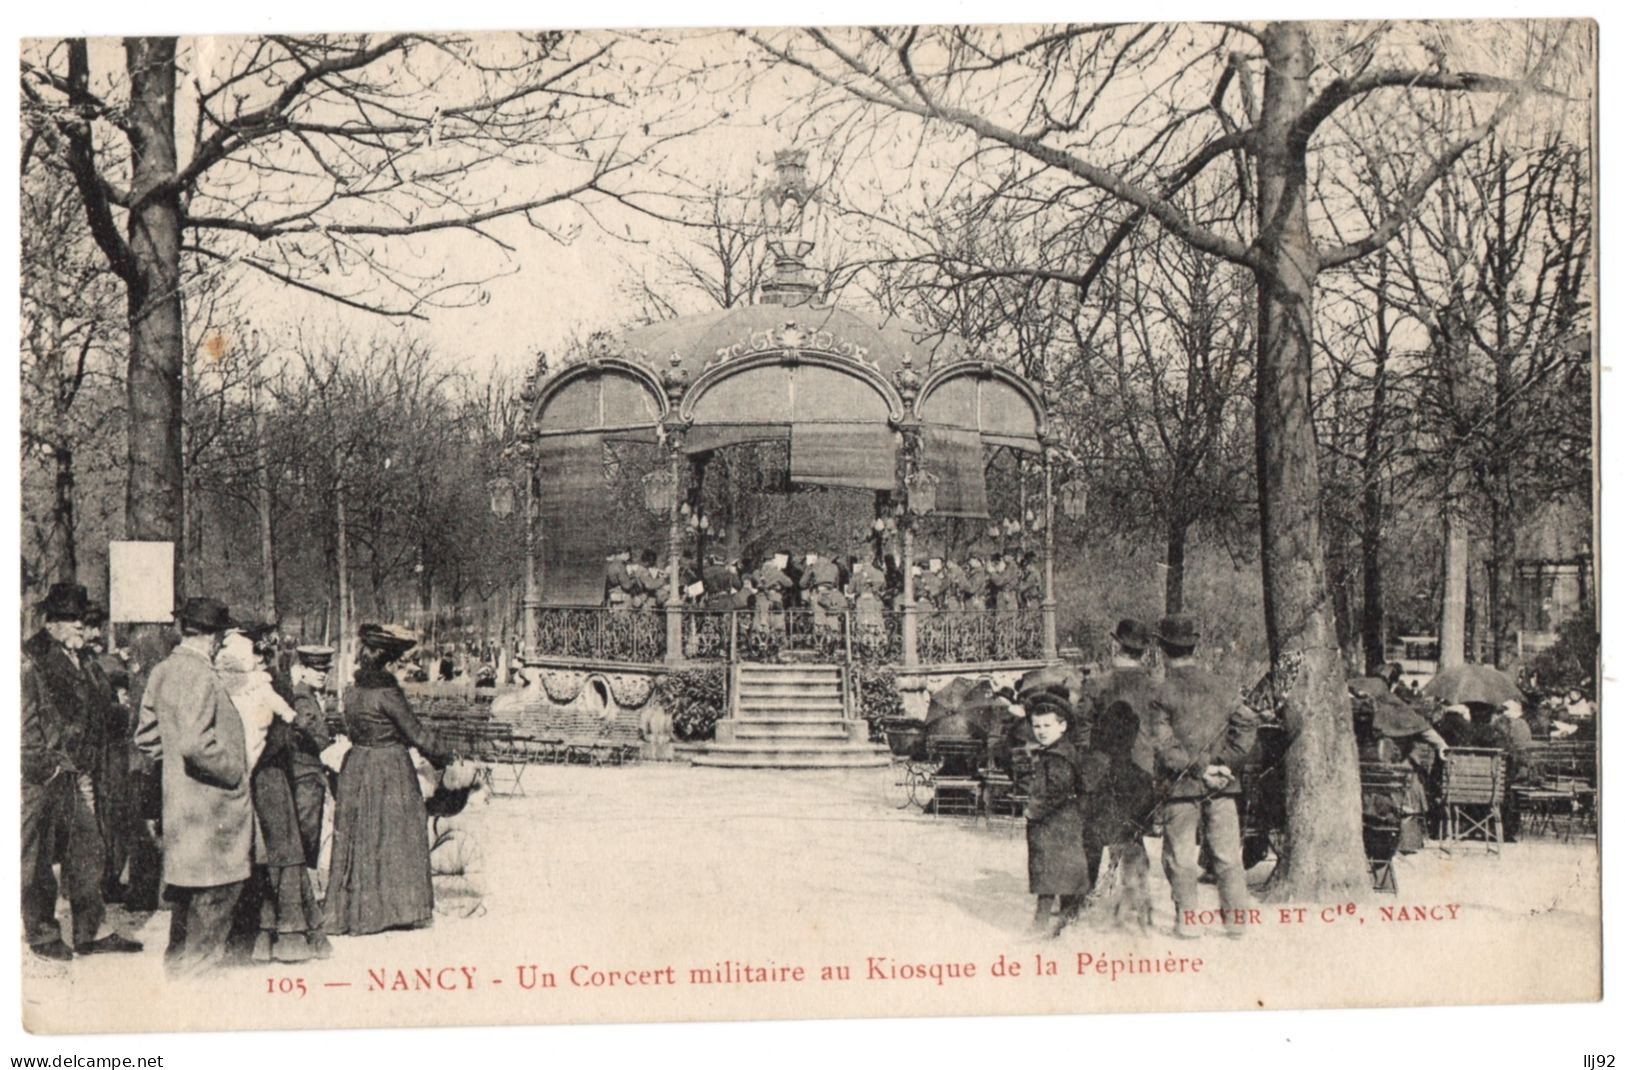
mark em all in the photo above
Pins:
pixel 846 391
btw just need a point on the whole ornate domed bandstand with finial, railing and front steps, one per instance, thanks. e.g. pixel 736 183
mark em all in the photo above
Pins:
pixel 878 406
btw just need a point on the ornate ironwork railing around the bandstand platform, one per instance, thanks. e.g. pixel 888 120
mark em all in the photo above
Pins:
pixel 859 635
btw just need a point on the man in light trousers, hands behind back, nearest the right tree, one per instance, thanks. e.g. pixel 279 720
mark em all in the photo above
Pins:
pixel 1205 736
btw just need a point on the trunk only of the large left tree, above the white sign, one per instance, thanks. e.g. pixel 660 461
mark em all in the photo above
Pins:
pixel 157 341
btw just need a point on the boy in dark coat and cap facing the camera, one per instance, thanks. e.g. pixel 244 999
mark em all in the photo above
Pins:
pixel 1057 868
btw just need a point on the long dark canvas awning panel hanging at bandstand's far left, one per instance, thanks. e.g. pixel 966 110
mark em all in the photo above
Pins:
pixel 574 537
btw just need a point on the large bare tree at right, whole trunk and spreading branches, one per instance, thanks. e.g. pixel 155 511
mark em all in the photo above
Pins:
pixel 1132 113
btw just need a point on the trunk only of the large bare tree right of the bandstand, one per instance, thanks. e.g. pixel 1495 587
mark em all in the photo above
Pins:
pixel 1325 851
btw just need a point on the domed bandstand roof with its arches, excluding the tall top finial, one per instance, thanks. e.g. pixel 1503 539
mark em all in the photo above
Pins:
pixel 760 372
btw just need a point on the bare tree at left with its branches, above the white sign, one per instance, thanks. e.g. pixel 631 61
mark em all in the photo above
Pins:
pixel 314 162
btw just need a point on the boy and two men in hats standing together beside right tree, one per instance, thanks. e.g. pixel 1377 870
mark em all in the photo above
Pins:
pixel 1107 754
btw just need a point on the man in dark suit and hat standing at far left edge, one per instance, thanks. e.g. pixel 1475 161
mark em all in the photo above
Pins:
pixel 63 742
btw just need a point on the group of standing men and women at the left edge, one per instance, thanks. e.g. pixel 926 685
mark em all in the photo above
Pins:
pixel 201 780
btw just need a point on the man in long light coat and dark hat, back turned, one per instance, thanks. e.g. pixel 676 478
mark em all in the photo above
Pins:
pixel 189 724
